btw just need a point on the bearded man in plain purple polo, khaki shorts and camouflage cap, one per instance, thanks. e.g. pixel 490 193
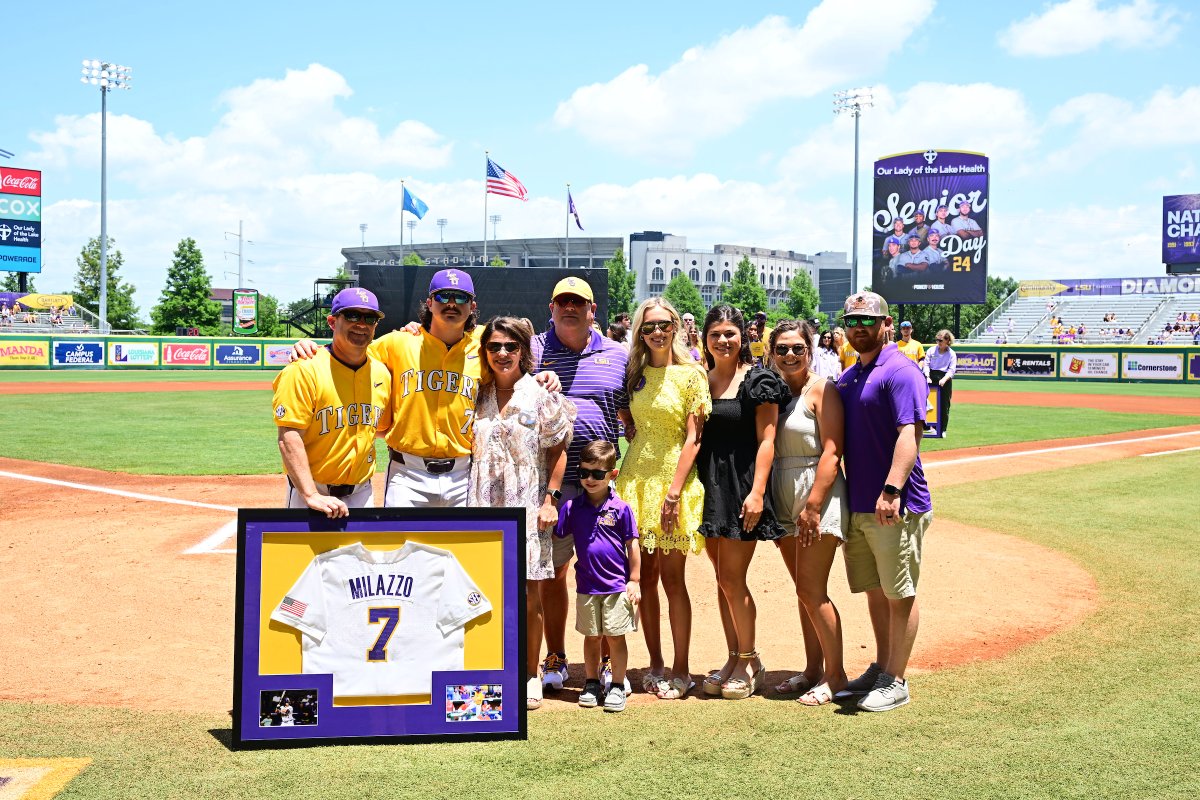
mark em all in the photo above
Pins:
pixel 885 398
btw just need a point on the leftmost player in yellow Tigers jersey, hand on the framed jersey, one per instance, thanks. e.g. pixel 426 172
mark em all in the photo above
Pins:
pixel 328 410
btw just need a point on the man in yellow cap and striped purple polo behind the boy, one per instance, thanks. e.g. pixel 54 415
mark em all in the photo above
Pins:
pixel 592 370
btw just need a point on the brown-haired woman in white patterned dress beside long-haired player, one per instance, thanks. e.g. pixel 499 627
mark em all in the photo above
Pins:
pixel 519 458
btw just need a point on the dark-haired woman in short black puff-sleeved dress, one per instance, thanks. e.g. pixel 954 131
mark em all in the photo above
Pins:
pixel 735 460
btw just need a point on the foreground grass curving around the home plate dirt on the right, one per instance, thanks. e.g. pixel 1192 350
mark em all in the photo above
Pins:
pixel 1103 709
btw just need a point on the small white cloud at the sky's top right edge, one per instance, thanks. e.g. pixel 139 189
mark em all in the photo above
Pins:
pixel 1081 26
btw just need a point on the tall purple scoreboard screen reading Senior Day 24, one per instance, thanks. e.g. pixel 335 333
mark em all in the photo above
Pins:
pixel 931 227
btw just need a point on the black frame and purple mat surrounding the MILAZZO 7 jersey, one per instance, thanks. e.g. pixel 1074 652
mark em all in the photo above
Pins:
pixel 376 724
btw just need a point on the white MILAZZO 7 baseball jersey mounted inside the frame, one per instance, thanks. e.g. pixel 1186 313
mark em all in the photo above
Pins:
pixel 382 622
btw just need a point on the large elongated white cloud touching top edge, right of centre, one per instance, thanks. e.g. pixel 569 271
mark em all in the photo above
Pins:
pixel 716 88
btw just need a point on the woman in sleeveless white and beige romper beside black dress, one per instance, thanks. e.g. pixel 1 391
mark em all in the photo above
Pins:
pixel 811 497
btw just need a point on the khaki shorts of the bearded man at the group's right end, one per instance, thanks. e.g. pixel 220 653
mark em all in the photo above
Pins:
pixel 886 557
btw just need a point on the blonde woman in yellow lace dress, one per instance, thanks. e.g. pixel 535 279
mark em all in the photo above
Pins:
pixel 669 400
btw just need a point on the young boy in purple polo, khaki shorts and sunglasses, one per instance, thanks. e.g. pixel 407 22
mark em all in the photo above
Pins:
pixel 608 573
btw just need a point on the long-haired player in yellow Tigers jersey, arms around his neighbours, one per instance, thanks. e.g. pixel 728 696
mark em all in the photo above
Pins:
pixel 435 382
